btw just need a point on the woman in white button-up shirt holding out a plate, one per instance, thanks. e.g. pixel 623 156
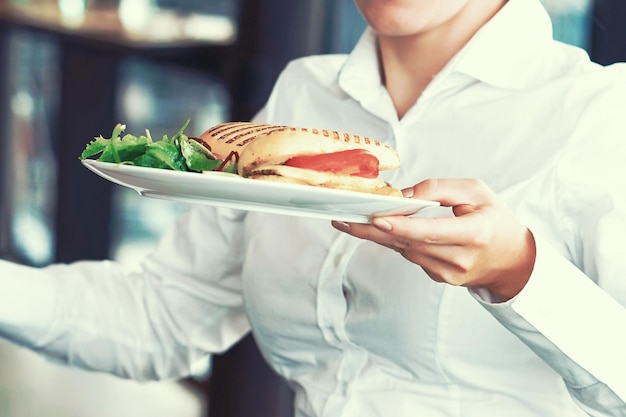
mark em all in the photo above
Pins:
pixel 509 300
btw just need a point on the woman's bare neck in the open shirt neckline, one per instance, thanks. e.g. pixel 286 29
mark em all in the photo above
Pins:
pixel 409 63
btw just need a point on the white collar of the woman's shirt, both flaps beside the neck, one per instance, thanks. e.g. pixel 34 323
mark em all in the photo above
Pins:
pixel 512 37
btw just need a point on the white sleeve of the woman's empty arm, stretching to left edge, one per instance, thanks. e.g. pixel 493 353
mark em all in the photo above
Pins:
pixel 183 303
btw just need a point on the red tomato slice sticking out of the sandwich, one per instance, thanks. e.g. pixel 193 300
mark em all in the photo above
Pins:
pixel 357 162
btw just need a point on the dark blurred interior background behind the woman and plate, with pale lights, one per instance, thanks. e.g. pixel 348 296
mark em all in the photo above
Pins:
pixel 71 69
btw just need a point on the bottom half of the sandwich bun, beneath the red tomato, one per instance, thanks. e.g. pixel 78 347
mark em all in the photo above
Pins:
pixel 283 173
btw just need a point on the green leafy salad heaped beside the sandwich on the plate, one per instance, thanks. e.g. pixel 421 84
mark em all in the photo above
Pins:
pixel 178 153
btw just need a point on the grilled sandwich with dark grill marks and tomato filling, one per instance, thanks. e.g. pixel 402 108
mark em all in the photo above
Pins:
pixel 316 157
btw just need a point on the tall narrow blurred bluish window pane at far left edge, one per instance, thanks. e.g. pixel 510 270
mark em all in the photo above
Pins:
pixel 28 162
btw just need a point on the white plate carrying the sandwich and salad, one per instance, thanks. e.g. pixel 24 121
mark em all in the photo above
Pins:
pixel 229 190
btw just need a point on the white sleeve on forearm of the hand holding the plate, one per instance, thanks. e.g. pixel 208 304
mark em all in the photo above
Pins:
pixel 574 325
